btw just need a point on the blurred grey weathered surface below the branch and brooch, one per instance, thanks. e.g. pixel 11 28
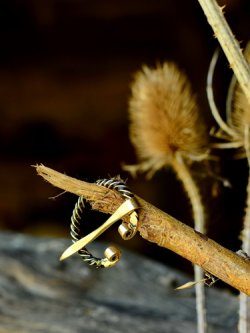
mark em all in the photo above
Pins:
pixel 39 294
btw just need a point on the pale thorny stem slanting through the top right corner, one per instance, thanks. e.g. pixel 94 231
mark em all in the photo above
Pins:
pixel 230 46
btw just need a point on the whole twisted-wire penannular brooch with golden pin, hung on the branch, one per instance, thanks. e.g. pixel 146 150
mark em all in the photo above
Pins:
pixel 126 230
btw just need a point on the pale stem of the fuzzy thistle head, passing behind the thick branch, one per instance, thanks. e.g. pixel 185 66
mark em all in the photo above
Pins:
pixel 199 225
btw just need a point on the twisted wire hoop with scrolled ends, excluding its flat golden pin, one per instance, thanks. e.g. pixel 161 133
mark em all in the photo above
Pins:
pixel 127 231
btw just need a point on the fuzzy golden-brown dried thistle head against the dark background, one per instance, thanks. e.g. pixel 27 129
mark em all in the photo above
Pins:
pixel 164 118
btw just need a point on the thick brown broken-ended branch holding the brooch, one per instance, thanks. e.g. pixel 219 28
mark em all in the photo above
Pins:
pixel 162 229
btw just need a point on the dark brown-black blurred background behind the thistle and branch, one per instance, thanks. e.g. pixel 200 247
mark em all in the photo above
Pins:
pixel 65 72
